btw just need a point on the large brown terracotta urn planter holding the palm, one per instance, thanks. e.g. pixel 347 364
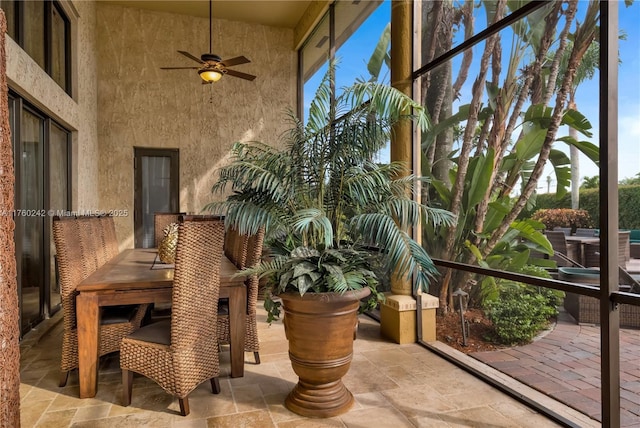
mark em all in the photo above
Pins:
pixel 320 328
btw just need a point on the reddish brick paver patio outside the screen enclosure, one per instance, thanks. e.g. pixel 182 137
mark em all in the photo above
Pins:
pixel 565 364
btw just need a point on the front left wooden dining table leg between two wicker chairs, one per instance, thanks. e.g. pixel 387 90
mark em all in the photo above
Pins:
pixel 87 314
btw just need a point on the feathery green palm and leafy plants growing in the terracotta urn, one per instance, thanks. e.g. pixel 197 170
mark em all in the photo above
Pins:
pixel 328 209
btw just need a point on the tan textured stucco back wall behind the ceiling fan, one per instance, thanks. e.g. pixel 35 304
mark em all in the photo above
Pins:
pixel 140 105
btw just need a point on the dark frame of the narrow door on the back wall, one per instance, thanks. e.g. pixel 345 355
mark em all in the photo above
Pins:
pixel 174 184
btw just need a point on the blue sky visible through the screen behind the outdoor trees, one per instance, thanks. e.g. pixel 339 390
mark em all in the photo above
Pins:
pixel 354 54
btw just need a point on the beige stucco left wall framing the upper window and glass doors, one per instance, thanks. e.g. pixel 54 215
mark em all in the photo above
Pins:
pixel 77 114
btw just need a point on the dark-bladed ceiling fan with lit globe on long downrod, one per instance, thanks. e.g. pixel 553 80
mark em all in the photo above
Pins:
pixel 212 67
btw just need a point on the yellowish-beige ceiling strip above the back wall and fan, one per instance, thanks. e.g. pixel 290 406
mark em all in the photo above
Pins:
pixel 280 13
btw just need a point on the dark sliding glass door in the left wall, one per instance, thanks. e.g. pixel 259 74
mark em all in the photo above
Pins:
pixel 41 161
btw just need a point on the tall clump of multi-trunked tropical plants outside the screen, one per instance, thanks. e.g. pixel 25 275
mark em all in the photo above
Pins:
pixel 487 156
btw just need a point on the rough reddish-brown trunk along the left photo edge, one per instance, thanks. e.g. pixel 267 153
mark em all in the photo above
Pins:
pixel 9 324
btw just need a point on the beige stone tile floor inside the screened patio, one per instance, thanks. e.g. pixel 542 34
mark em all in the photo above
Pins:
pixel 394 386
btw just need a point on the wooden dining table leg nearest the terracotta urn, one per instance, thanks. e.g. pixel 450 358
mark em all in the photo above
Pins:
pixel 237 320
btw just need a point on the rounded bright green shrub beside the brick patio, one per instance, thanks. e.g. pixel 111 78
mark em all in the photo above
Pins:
pixel 518 316
